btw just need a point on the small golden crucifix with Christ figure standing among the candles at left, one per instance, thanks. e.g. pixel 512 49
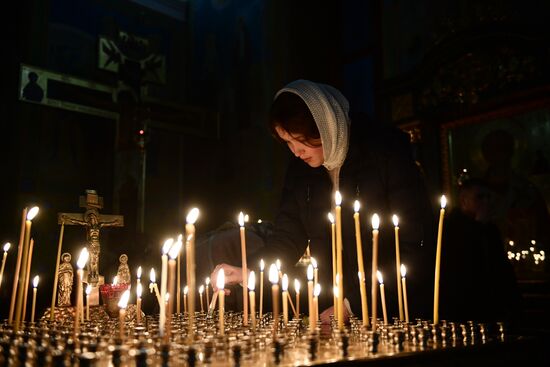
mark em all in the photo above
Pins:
pixel 93 222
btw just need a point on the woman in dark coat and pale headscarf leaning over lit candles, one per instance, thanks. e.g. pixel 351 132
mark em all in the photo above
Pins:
pixel 374 167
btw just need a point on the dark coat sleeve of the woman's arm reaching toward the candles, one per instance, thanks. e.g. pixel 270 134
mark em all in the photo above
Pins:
pixel 288 240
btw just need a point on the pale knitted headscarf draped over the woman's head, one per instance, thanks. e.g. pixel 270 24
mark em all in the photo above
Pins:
pixel 329 109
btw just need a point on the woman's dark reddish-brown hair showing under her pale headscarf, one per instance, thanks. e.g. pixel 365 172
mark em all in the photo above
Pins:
pixel 290 112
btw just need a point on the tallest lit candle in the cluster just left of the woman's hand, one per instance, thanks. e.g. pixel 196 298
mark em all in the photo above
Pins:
pixel 191 218
